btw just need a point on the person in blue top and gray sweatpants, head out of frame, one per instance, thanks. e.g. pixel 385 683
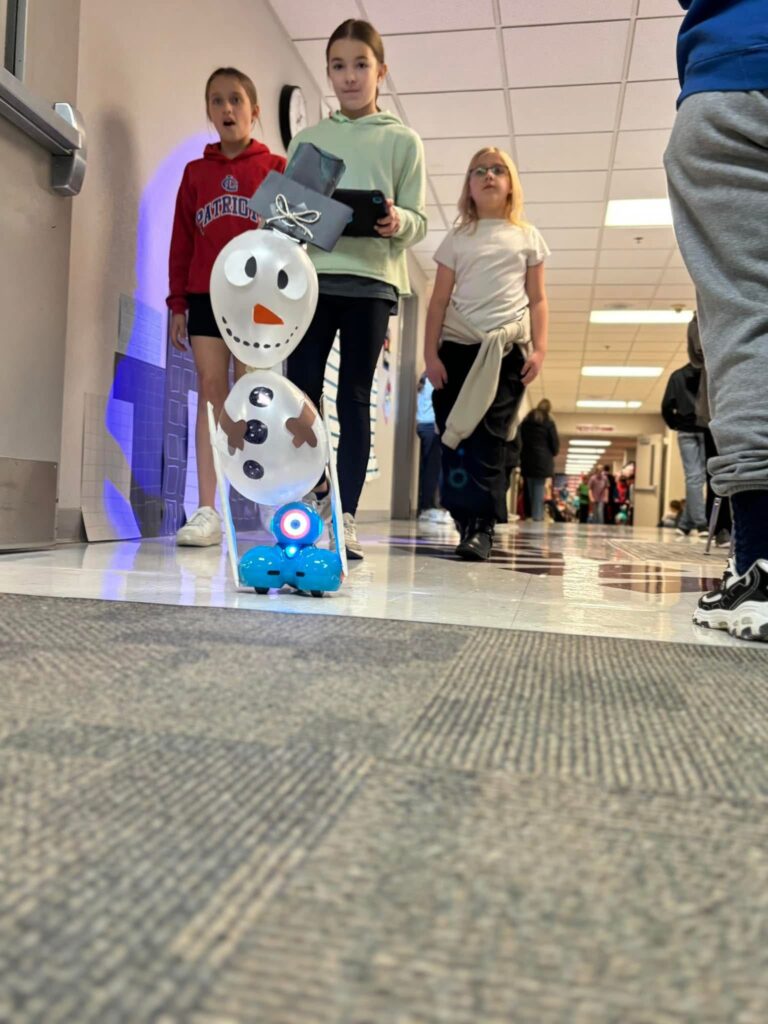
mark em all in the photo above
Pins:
pixel 717 169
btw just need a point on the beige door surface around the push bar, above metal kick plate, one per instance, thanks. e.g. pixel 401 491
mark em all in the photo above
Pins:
pixel 34 247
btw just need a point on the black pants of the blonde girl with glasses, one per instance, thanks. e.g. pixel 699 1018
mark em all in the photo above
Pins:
pixel 475 477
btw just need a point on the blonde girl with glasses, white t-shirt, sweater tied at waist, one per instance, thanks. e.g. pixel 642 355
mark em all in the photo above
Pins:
pixel 488 305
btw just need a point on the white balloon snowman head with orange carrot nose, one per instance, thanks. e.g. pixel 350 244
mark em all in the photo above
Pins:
pixel 264 293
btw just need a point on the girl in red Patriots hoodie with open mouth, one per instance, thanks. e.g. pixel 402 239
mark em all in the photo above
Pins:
pixel 211 210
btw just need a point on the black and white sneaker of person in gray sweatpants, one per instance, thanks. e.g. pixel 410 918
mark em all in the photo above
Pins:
pixel 740 605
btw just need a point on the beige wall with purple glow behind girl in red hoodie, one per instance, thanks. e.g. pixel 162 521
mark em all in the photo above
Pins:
pixel 142 76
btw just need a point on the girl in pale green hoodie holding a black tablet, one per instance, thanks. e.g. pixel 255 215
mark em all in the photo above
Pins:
pixel 362 280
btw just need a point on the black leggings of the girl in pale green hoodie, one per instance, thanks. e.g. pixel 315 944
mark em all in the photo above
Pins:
pixel 363 326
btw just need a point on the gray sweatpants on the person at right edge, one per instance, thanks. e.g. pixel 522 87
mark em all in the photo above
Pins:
pixel 717 168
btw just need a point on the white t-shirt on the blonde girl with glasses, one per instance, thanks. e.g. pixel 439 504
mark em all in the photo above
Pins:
pixel 491 264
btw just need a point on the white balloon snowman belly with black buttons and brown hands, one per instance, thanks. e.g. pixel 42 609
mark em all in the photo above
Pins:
pixel 284 443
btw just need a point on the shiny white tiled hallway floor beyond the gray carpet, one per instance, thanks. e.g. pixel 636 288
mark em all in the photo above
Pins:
pixel 603 581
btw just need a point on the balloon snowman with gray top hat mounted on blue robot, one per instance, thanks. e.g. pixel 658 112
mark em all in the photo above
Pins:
pixel 271 442
